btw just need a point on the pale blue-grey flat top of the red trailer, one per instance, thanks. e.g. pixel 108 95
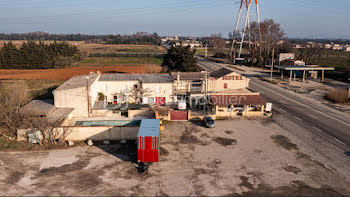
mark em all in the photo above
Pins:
pixel 149 128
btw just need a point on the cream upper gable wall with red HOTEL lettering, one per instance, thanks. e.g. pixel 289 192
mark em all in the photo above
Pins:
pixel 216 85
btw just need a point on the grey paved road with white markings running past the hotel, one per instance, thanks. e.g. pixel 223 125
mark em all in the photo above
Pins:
pixel 328 123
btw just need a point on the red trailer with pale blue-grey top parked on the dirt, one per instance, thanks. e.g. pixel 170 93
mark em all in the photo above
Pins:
pixel 148 144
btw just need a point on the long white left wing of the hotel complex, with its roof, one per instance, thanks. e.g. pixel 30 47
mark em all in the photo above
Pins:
pixel 82 92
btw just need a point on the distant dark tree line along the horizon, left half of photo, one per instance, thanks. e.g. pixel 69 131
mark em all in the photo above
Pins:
pixel 138 38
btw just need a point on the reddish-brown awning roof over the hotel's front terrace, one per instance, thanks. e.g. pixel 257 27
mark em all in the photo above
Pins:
pixel 226 100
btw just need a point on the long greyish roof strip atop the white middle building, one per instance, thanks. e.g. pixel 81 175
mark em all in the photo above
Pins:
pixel 145 78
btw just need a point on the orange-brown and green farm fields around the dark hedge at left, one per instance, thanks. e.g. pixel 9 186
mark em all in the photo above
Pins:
pixel 94 64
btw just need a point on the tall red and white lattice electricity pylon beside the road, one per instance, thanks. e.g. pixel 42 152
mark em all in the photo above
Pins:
pixel 246 26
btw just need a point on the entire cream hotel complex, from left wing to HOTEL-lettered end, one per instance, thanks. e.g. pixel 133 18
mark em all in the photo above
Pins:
pixel 109 95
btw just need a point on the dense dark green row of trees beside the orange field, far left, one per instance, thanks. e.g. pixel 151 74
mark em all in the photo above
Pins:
pixel 33 55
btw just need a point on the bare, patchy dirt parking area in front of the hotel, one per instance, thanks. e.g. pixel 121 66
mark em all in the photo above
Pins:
pixel 238 157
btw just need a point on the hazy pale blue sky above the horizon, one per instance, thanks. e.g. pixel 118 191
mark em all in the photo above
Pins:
pixel 299 18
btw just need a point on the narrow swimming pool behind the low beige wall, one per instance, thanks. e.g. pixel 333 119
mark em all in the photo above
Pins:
pixel 114 123
